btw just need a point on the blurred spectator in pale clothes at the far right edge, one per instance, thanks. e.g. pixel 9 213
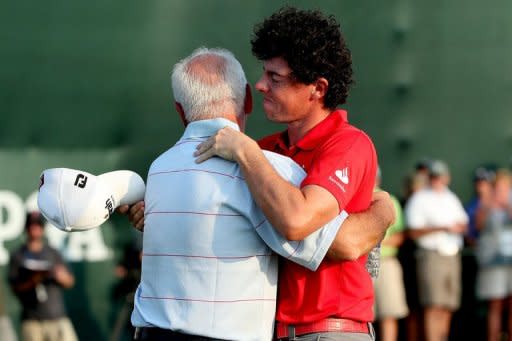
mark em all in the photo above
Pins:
pixel 494 255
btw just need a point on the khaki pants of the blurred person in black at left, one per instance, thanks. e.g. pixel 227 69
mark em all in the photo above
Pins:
pixel 48 330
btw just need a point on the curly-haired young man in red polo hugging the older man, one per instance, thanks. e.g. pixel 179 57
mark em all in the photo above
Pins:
pixel 306 75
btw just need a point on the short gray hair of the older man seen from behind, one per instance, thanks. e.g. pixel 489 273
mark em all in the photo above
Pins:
pixel 209 83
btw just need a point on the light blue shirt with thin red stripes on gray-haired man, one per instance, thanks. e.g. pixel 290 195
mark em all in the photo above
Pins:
pixel 208 265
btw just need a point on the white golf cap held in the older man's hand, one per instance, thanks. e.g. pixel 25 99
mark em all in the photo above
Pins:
pixel 74 200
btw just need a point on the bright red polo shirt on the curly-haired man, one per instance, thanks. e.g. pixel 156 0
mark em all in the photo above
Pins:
pixel 342 159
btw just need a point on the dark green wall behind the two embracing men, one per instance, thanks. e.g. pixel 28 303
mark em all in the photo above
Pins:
pixel 85 84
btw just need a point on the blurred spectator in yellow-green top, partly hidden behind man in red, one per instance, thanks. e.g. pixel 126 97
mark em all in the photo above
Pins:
pixel 390 302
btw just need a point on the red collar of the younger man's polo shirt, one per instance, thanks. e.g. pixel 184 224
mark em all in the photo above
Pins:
pixel 318 133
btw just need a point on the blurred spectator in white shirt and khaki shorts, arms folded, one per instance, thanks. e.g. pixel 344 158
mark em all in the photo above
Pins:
pixel 436 220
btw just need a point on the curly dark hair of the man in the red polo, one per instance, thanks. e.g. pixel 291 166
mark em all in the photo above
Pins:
pixel 313 46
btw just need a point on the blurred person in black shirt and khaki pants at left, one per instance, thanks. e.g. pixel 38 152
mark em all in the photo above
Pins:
pixel 37 275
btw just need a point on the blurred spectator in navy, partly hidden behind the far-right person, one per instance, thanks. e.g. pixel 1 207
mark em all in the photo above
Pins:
pixel 482 184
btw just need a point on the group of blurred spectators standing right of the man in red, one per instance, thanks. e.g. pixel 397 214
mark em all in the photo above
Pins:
pixel 446 266
